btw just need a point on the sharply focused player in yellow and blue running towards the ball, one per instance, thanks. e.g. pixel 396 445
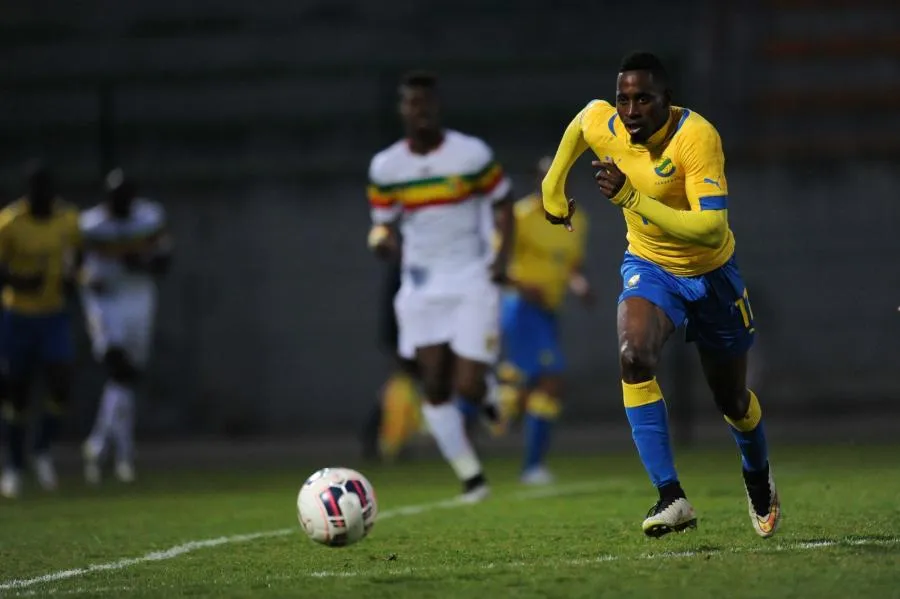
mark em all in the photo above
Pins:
pixel 664 166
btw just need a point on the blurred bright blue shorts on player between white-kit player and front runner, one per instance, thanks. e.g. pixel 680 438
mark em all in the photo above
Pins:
pixel 530 338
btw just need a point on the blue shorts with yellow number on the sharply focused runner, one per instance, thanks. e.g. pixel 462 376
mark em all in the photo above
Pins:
pixel 714 307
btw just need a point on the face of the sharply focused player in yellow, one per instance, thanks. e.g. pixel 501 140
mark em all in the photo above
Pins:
pixel 642 104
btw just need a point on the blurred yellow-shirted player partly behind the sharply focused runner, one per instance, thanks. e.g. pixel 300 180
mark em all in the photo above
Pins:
pixel 545 263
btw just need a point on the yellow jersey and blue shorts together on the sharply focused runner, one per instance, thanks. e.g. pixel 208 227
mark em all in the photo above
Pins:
pixel 682 166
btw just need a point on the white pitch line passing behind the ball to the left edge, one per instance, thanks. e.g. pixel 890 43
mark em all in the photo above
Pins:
pixel 173 552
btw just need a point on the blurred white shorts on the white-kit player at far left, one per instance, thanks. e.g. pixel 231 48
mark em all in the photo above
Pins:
pixel 124 321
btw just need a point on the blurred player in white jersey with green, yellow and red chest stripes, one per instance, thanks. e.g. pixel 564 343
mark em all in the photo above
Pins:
pixel 449 196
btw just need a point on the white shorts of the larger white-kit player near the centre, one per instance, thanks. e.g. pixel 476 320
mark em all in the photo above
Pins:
pixel 467 318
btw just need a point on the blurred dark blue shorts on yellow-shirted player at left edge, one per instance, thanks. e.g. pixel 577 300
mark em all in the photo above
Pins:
pixel 28 340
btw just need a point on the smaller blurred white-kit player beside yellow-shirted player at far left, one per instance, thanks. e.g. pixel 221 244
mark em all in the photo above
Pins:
pixel 126 248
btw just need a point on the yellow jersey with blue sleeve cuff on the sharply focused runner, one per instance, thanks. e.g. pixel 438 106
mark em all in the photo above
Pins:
pixel 682 166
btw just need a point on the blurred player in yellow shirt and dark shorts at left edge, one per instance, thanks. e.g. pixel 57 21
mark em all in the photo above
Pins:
pixel 38 240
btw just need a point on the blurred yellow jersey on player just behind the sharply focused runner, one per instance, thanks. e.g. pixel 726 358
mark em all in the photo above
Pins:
pixel 545 256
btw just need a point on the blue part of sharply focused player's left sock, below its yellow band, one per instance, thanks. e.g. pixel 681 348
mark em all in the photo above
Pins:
pixel 650 431
